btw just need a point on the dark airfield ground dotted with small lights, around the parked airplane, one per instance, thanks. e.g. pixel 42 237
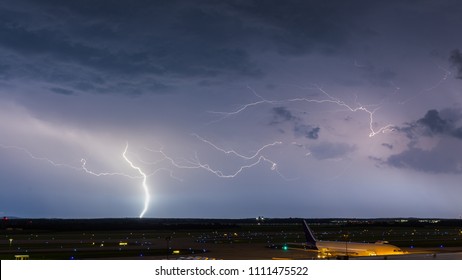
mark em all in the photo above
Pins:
pixel 215 238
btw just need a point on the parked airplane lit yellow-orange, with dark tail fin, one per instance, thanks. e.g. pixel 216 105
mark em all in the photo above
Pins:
pixel 339 249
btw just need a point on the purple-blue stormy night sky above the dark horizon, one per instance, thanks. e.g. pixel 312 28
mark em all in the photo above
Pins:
pixel 231 108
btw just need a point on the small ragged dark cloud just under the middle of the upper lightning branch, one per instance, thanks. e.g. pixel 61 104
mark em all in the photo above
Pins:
pixel 283 115
